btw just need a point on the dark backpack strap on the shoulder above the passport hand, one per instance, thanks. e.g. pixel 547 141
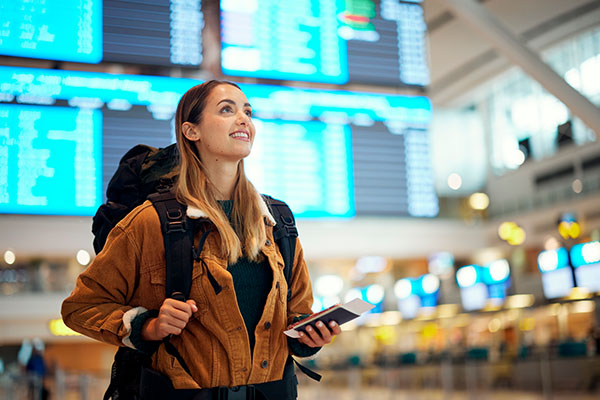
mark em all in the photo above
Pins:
pixel 285 234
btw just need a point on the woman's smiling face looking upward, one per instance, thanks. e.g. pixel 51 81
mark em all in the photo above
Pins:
pixel 226 131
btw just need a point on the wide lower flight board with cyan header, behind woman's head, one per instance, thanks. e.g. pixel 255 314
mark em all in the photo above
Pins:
pixel 326 153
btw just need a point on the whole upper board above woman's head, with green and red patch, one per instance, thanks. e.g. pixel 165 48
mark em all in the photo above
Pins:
pixel 331 41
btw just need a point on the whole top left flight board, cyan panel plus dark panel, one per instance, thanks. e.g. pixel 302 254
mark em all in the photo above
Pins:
pixel 152 32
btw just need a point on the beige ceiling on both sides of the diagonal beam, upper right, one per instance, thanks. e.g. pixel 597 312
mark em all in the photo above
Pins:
pixel 461 58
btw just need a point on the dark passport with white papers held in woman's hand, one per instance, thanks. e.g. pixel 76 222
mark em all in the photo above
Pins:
pixel 340 313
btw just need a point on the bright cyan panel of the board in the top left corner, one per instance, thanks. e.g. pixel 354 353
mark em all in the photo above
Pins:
pixel 69 30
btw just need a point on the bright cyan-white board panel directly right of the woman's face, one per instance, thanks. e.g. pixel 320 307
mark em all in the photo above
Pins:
pixel 310 166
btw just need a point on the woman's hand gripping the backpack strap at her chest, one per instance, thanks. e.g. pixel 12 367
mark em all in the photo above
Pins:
pixel 173 316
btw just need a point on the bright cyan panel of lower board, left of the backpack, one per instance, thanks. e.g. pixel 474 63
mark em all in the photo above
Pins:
pixel 49 160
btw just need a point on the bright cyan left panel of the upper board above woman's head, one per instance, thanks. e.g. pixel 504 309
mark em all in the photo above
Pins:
pixel 291 40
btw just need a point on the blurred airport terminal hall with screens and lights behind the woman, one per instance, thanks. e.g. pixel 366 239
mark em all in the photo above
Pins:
pixel 441 157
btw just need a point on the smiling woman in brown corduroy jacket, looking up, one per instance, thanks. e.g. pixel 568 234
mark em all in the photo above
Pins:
pixel 228 339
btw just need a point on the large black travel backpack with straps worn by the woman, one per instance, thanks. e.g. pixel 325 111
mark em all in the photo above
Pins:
pixel 146 172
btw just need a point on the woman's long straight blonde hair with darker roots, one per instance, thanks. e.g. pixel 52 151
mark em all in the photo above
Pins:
pixel 246 232
